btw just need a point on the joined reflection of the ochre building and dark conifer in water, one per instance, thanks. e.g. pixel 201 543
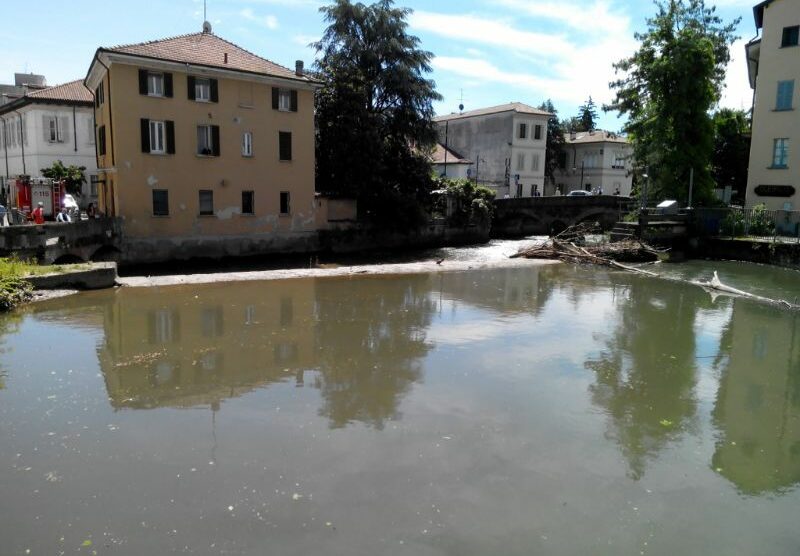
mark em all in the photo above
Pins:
pixel 362 349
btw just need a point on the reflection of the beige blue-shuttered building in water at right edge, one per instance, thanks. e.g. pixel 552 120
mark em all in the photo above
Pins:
pixel 757 410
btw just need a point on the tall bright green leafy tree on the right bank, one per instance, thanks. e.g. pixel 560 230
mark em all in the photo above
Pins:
pixel 669 86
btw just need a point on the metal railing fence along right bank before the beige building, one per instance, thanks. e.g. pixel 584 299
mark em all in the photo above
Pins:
pixel 760 223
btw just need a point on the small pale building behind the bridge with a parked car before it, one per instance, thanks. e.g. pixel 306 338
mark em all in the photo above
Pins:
pixel 595 161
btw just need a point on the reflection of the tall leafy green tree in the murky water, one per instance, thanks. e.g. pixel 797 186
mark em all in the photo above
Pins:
pixel 645 378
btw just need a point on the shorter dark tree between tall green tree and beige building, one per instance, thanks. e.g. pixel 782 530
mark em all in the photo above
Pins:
pixel 731 150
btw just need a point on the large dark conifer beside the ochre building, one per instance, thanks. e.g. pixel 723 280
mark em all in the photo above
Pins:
pixel 374 112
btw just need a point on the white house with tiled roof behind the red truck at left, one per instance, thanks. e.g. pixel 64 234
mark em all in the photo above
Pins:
pixel 43 126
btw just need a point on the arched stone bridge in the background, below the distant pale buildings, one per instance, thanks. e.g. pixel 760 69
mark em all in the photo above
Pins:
pixel 548 215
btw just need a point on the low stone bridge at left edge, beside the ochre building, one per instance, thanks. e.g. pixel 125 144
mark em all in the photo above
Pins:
pixel 86 240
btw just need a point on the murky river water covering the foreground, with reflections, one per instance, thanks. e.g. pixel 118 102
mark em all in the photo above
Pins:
pixel 527 410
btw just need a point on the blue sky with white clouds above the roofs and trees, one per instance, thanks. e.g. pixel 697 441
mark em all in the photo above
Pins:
pixel 495 51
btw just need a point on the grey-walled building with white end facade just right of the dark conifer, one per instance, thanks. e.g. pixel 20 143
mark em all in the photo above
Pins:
pixel 506 143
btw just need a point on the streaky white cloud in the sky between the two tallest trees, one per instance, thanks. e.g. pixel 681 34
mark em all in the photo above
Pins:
pixel 549 61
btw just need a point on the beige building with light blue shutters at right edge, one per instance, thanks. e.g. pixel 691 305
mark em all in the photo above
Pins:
pixel 774 67
